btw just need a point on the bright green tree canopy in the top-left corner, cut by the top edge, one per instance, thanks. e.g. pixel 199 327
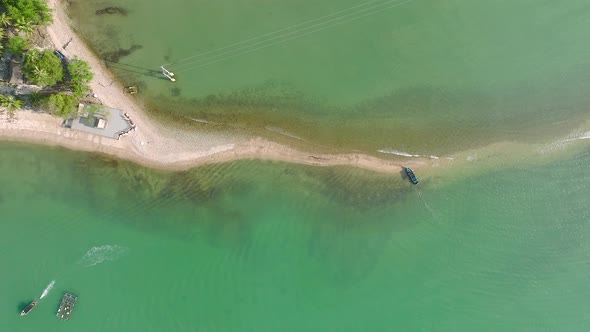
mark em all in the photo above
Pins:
pixel 27 12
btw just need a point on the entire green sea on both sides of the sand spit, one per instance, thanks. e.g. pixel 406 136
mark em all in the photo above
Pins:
pixel 494 240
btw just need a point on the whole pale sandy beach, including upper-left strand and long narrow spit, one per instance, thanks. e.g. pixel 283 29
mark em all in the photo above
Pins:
pixel 154 145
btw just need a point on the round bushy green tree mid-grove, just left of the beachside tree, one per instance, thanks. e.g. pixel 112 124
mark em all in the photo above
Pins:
pixel 43 68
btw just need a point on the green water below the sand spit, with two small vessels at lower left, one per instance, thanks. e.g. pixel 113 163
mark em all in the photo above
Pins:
pixel 258 246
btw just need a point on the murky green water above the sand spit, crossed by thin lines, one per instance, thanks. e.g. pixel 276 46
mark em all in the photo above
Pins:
pixel 422 76
